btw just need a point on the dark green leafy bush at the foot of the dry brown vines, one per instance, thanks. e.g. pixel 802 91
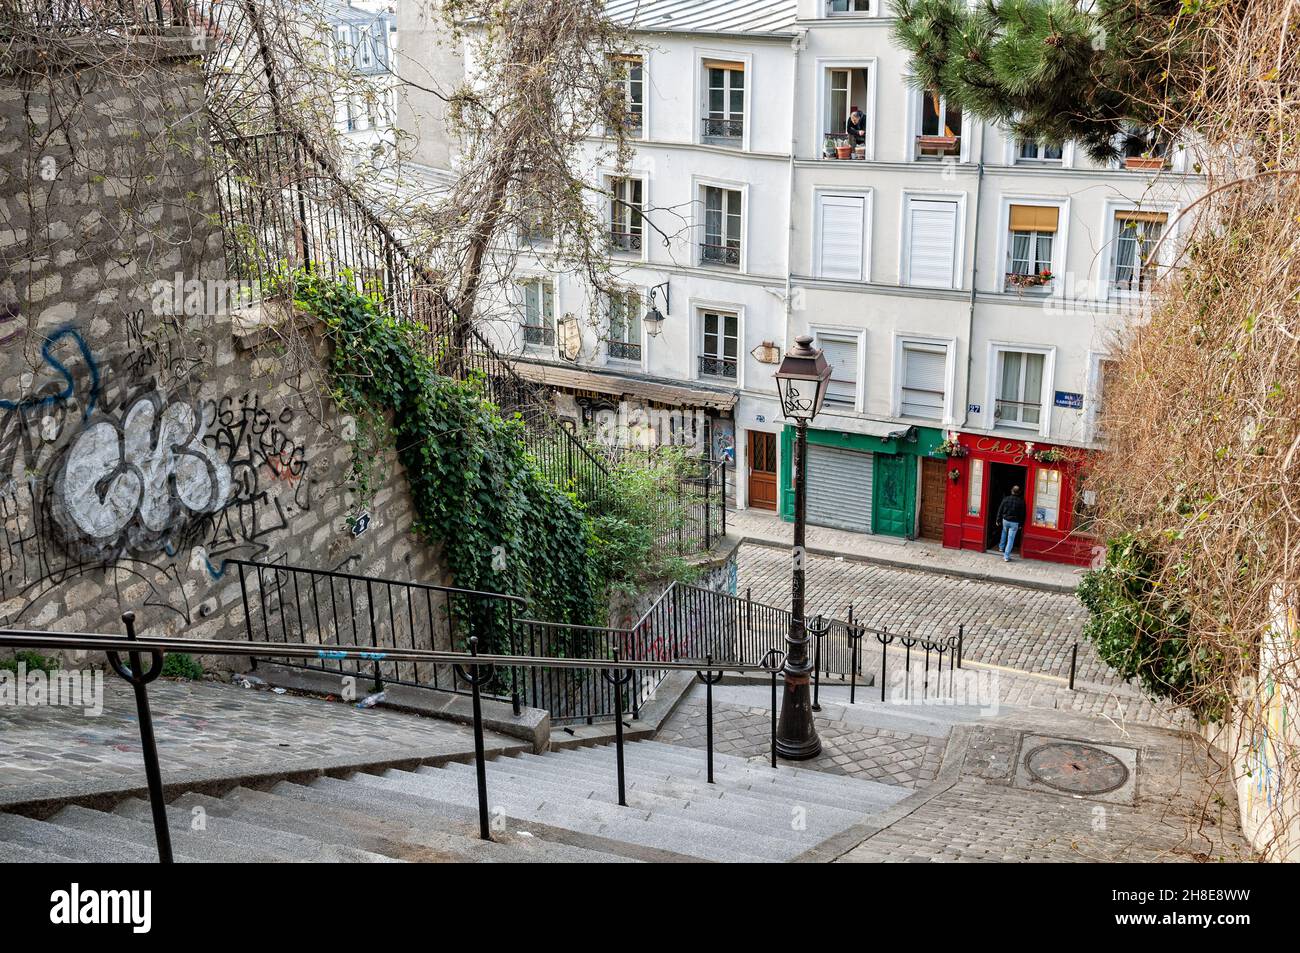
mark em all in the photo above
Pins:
pixel 1141 626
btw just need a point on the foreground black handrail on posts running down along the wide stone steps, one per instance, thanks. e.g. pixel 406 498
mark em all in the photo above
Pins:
pixel 475 670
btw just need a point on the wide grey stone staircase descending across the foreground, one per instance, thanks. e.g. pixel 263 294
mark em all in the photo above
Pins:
pixel 561 807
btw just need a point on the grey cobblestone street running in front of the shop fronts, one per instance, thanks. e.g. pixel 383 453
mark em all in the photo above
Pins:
pixel 1029 630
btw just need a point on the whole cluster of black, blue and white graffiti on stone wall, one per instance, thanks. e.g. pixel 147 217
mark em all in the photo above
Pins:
pixel 112 466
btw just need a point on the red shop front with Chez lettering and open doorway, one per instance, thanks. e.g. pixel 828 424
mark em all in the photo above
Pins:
pixel 1048 476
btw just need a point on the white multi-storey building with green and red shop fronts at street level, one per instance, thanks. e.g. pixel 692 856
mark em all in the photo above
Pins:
pixel 965 287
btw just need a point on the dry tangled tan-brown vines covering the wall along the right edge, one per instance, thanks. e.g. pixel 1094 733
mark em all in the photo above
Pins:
pixel 1202 415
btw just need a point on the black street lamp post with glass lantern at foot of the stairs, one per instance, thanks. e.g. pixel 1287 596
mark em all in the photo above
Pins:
pixel 801 384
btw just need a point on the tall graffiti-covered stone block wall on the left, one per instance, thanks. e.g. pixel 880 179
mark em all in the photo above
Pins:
pixel 148 432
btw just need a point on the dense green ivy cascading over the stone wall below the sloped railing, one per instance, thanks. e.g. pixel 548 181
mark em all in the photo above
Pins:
pixel 502 526
